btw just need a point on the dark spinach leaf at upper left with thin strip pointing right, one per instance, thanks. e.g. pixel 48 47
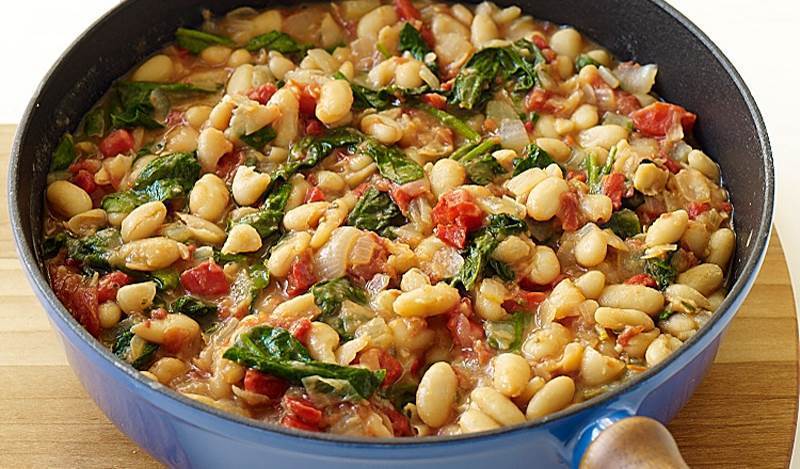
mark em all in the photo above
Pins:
pixel 133 105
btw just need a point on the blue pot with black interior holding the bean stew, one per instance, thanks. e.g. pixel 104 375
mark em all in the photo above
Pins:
pixel 183 433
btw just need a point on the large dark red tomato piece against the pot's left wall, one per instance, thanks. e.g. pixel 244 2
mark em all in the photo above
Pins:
pixel 78 296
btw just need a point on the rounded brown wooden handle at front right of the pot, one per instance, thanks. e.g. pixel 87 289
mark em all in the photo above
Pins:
pixel 634 442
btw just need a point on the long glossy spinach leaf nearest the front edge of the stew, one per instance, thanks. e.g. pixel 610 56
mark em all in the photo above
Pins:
pixel 277 352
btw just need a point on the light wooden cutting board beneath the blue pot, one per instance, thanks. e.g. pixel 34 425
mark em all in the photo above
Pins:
pixel 743 414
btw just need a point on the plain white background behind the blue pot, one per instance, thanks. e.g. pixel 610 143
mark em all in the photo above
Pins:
pixel 758 37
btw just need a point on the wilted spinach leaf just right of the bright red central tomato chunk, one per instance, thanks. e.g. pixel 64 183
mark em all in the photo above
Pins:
pixel 481 246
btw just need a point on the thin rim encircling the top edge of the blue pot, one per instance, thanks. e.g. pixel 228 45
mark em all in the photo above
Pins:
pixel 58 312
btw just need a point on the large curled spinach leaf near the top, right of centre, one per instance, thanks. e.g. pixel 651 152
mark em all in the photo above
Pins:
pixel 515 63
